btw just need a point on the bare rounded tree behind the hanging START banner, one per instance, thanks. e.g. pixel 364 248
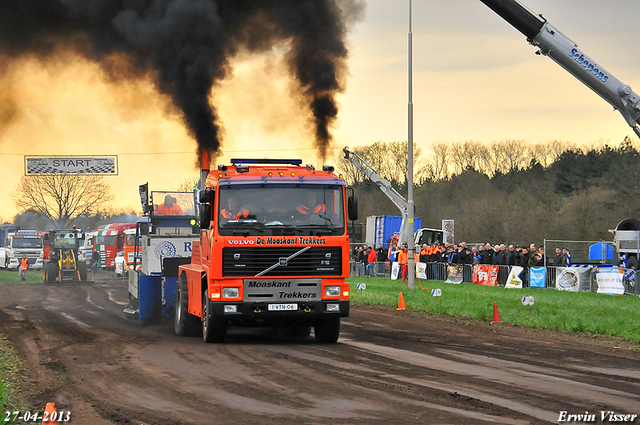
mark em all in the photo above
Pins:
pixel 62 197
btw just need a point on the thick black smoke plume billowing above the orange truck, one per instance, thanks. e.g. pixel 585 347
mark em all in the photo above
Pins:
pixel 186 45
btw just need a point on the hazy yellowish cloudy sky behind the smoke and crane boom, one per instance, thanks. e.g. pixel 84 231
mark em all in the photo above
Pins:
pixel 474 78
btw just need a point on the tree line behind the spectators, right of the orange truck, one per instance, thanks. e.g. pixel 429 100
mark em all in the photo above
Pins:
pixel 508 191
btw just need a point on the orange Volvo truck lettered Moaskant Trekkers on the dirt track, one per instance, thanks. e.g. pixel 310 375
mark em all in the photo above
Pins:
pixel 262 259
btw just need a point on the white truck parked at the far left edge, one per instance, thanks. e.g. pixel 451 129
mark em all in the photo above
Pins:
pixel 19 243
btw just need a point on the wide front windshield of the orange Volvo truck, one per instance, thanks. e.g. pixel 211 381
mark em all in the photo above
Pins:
pixel 281 209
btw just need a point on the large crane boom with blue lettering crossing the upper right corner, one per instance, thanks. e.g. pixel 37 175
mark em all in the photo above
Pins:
pixel 565 53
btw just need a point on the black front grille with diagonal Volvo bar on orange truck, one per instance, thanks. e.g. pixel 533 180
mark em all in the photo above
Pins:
pixel 253 261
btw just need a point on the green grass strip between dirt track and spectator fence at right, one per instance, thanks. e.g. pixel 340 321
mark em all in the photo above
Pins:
pixel 556 310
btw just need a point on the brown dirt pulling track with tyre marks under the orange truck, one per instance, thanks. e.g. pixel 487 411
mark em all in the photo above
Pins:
pixel 87 356
